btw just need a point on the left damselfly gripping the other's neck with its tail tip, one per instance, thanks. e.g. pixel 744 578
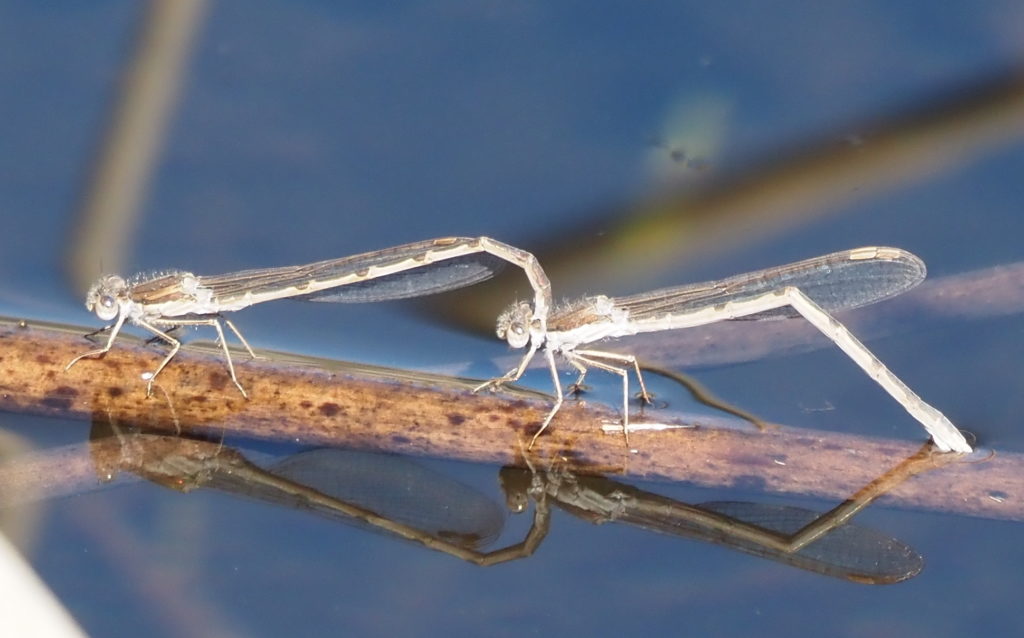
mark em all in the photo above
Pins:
pixel 163 302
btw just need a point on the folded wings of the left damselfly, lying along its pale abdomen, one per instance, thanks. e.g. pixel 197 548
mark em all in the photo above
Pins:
pixel 410 271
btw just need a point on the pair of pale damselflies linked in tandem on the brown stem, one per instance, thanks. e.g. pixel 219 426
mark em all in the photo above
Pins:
pixel 810 289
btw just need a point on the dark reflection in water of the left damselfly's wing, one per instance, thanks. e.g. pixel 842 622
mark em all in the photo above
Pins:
pixel 391 487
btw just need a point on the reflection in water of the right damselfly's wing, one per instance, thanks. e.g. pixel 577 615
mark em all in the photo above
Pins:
pixel 849 552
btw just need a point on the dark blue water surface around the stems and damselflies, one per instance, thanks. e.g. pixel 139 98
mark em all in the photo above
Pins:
pixel 309 131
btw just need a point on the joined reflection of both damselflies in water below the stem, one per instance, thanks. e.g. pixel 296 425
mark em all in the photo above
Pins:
pixel 396 496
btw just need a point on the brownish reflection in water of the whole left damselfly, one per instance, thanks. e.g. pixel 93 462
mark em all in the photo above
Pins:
pixel 379 492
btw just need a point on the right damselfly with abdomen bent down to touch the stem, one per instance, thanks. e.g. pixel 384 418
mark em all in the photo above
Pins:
pixel 810 289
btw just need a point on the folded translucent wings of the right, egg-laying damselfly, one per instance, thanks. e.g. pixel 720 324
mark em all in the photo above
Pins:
pixel 836 282
